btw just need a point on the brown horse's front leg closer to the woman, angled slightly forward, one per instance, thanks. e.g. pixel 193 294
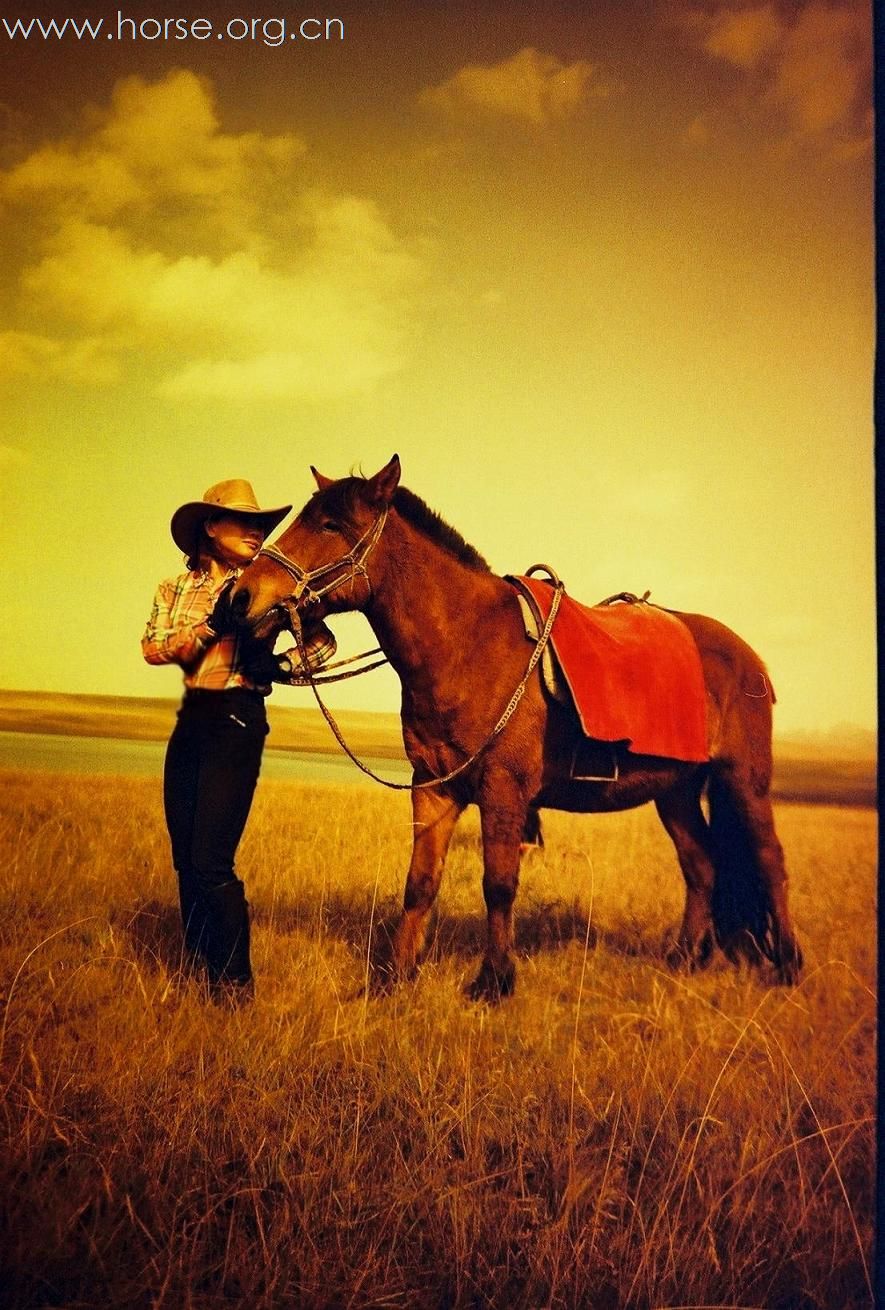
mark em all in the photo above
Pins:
pixel 434 819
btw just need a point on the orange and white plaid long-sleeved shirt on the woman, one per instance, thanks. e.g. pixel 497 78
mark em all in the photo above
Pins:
pixel 177 633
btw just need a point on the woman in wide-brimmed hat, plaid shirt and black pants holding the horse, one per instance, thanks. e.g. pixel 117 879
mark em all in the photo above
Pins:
pixel 214 754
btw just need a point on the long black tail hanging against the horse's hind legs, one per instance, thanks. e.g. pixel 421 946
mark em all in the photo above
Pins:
pixel 742 905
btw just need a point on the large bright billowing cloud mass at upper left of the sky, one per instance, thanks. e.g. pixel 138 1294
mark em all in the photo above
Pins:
pixel 282 293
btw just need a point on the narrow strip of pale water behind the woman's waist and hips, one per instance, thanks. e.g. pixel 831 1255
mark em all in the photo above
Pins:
pixel 60 754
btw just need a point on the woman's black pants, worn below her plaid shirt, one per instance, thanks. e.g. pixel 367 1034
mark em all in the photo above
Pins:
pixel 213 764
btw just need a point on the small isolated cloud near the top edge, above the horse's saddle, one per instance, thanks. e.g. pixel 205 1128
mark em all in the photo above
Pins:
pixel 530 86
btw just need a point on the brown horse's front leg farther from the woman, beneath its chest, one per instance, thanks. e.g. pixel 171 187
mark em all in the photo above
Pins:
pixel 503 819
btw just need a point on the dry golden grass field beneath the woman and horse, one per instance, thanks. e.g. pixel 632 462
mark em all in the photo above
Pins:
pixel 613 1136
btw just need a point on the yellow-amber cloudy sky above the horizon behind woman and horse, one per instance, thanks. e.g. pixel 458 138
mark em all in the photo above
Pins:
pixel 602 274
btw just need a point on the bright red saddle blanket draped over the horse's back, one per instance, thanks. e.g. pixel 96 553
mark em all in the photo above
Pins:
pixel 634 674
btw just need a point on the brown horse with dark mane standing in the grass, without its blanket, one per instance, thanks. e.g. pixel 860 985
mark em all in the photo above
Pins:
pixel 454 632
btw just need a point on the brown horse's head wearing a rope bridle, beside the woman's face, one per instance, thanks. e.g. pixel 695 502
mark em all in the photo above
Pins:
pixel 323 563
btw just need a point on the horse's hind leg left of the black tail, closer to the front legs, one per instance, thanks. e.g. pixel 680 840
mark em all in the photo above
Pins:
pixel 681 814
